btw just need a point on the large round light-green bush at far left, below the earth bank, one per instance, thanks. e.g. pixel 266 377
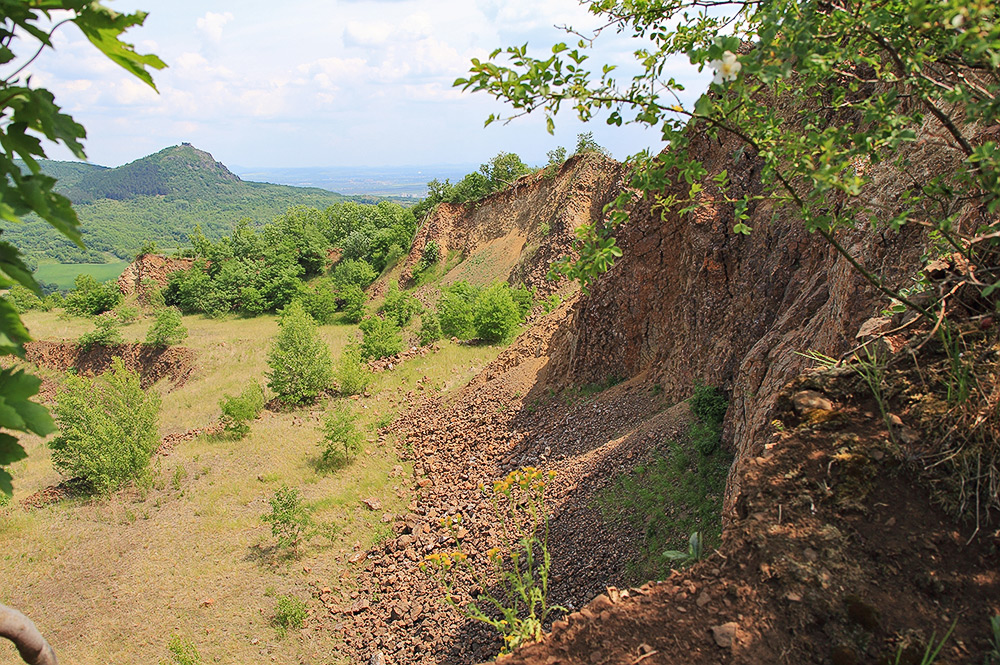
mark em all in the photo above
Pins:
pixel 107 428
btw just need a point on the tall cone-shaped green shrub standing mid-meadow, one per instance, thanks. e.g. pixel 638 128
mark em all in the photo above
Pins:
pixel 300 361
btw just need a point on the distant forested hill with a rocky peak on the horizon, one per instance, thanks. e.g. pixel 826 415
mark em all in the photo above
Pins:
pixel 161 198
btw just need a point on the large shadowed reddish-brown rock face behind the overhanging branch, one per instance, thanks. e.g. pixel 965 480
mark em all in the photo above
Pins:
pixel 691 300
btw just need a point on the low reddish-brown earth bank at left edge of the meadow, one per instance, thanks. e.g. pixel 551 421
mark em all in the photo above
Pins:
pixel 152 364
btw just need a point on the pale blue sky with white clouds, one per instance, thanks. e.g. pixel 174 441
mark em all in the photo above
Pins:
pixel 312 83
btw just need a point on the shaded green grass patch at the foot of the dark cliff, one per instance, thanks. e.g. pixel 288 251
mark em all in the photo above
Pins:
pixel 670 497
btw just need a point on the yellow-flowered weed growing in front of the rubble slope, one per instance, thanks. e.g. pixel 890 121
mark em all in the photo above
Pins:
pixel 519 566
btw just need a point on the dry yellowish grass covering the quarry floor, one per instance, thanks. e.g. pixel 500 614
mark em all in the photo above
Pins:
pixel 111 580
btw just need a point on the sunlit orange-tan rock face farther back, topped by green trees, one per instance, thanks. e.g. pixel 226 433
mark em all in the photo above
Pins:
pixel 516 233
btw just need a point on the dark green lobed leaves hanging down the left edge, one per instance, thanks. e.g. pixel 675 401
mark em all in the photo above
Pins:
pixel 30 114
